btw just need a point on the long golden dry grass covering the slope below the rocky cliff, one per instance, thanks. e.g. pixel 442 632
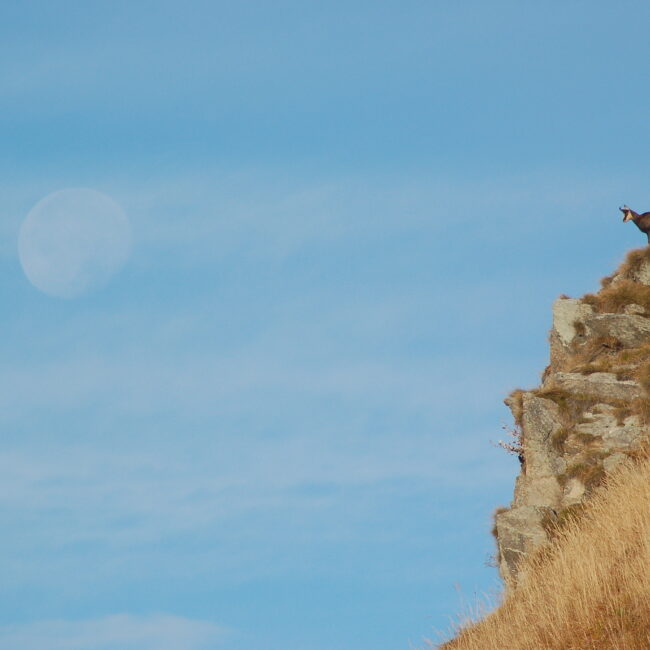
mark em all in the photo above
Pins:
pixel 589 589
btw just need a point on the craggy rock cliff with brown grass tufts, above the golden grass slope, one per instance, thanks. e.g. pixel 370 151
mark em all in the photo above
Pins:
pixel 591 411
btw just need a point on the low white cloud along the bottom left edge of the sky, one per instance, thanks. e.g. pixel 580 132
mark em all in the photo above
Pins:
pixel 117 632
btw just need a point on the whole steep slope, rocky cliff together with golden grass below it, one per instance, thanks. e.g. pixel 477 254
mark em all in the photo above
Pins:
pixel 574 544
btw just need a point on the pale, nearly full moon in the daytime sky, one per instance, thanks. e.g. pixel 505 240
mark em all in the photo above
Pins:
pixel 73 241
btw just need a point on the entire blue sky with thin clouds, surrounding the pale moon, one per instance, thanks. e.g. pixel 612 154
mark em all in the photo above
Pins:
pixel 273 428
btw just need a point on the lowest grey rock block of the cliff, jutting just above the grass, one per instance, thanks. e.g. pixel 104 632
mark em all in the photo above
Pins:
pixel 519 531
